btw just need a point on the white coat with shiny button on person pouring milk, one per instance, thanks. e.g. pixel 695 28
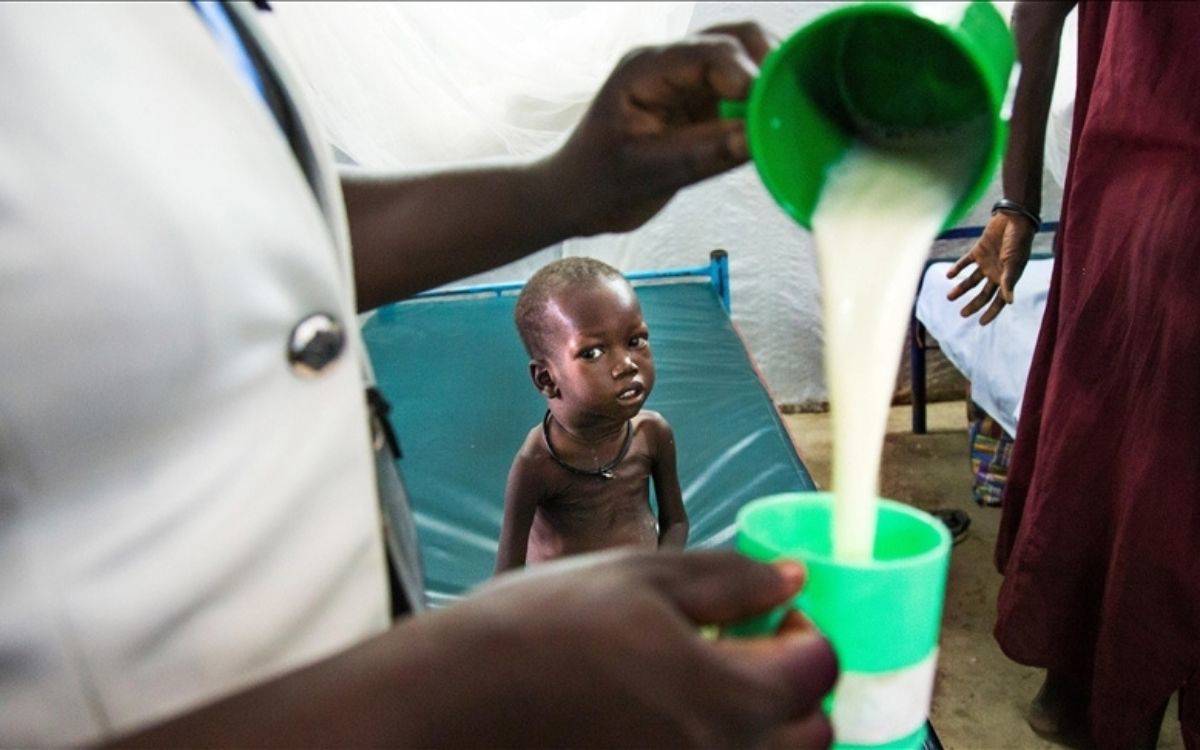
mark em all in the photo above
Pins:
pixel 182 513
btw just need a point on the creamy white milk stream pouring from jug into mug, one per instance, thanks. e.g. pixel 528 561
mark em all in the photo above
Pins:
pixel 878 218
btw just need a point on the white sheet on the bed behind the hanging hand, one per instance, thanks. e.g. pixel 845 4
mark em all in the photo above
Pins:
pixel 997 357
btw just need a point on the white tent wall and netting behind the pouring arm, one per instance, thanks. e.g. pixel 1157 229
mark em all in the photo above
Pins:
pixel 407 86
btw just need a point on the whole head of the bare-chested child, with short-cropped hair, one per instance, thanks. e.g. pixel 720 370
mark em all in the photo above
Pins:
pixel 589 345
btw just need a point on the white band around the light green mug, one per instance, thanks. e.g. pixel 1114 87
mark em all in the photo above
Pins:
pixel 872 709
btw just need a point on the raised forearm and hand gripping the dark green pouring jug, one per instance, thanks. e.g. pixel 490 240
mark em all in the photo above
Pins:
pixel 652 130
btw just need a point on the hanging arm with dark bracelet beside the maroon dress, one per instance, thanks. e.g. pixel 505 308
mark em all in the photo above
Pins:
pixel 1003 251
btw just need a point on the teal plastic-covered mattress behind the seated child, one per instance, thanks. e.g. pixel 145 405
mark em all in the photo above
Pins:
pixel 458 380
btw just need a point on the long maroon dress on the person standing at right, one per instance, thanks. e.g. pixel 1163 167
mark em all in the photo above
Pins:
pixel 1100 539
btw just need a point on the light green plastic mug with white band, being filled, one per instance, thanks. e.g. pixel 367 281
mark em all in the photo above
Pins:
pixel 883 616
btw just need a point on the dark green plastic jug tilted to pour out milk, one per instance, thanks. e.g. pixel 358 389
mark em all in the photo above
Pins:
pixel 887 74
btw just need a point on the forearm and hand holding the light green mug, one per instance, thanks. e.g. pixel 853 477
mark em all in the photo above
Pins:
pixel 562 656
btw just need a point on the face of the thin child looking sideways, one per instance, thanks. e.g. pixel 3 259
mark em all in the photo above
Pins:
pixel 601 355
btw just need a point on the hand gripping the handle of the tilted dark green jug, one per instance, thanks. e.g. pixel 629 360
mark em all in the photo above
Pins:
pixel 655 129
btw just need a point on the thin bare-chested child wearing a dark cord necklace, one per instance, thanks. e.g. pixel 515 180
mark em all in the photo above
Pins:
pixel 581 481
